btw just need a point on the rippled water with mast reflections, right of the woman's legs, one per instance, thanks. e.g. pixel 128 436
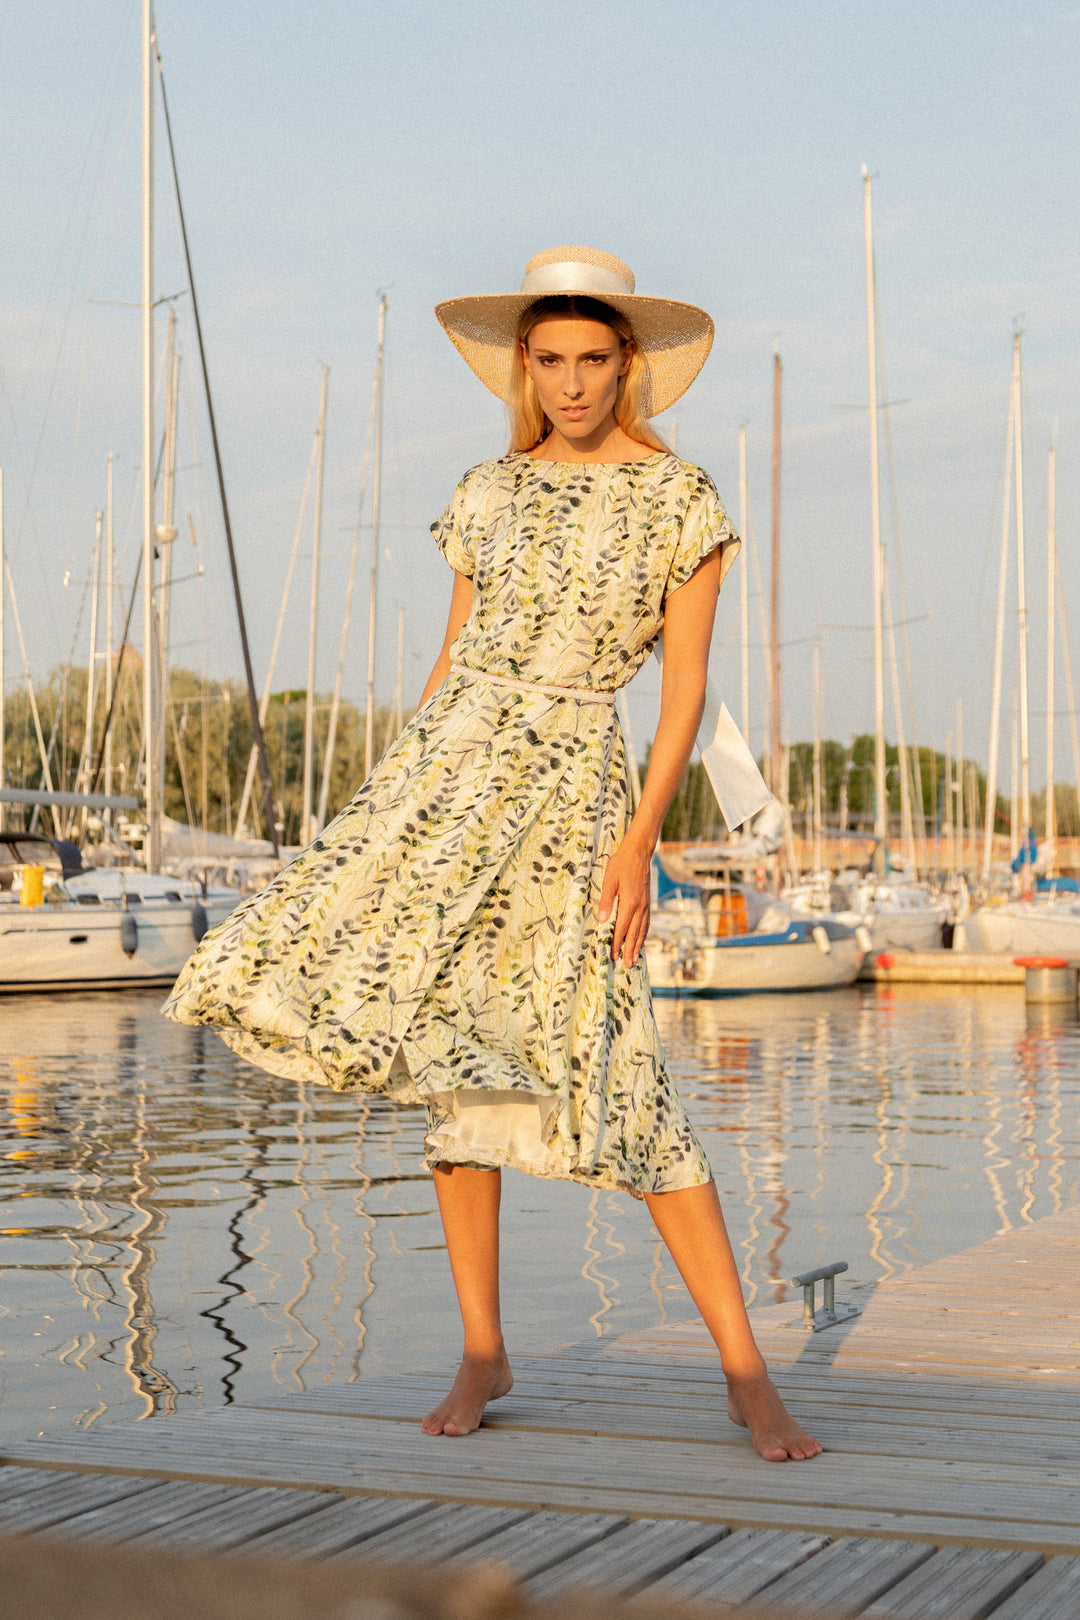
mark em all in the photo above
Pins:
pixel 885 1128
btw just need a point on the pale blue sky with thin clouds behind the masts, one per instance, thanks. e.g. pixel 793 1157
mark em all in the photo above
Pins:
pixel 333 150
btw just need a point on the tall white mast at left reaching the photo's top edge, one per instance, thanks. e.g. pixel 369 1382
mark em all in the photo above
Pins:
pixel 153 850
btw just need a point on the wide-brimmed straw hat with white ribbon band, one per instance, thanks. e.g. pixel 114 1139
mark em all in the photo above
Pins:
pixel 674 338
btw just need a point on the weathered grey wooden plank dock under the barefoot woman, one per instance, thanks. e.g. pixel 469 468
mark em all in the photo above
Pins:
pixel 950 1488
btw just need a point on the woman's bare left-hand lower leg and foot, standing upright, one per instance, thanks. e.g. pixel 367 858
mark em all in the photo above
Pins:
pixel 469 1203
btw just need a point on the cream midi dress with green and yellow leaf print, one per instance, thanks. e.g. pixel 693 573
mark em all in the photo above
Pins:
pixel 440 942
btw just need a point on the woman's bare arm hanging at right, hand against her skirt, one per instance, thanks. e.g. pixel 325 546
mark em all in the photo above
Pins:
pixel 689 615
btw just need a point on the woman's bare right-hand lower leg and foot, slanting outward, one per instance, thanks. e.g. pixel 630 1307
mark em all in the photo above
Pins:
pixel 692 1226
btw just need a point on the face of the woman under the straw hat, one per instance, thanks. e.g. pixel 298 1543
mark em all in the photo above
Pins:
pixel 577 365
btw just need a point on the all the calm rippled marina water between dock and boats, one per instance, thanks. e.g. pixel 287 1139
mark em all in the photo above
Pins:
pixel 181 1230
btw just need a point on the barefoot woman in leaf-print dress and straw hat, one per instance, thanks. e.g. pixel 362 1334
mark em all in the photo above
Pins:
pixel 467 934
